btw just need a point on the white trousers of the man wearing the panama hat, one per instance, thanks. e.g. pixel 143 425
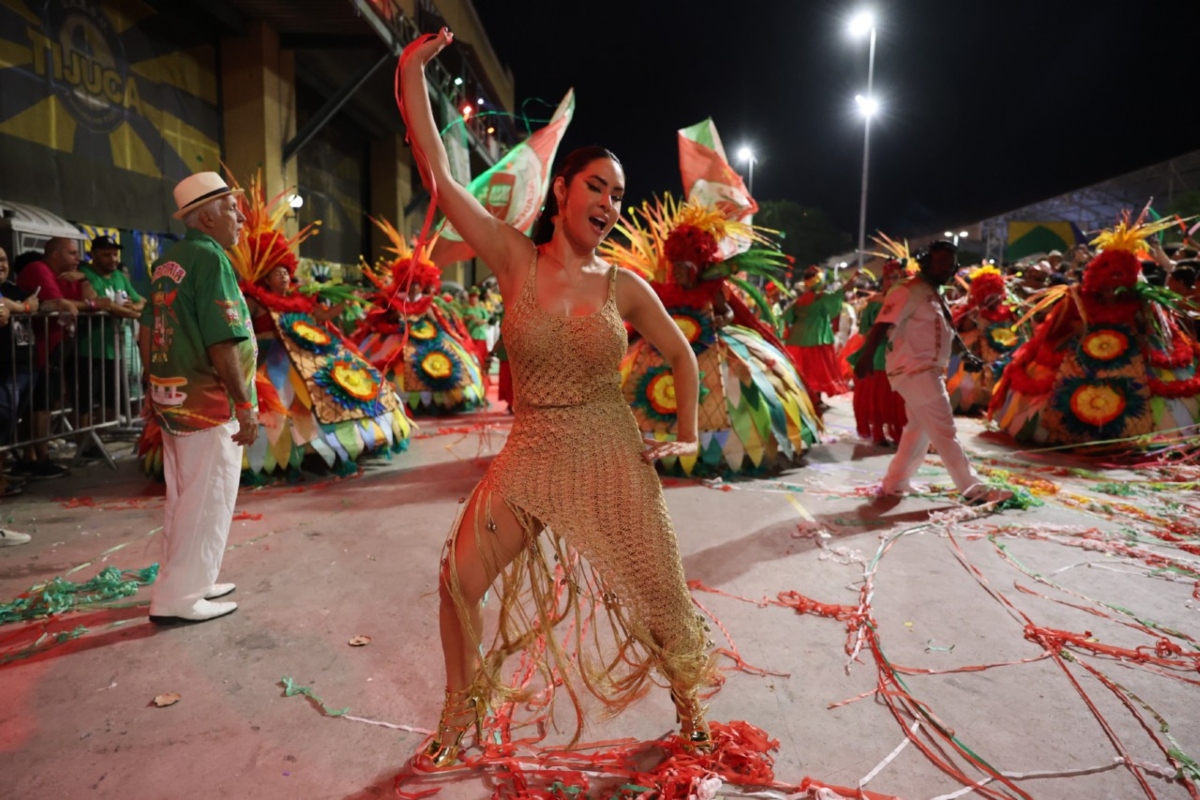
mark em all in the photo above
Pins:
pixel 203 471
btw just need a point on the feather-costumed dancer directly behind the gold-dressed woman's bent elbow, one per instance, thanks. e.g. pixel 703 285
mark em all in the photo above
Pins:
pixel 755 412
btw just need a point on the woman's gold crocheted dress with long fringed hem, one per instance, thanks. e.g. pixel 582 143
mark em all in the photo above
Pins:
pixel 597 599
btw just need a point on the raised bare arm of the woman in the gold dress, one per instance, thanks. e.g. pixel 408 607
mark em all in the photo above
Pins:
pixel 496 242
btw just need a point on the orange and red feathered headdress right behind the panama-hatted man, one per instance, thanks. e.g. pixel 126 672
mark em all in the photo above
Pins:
pixel 263 245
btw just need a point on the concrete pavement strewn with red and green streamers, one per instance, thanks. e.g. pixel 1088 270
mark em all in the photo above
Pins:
pixel 329 561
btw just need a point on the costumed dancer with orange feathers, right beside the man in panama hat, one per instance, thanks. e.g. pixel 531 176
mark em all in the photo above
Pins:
pixel 321 394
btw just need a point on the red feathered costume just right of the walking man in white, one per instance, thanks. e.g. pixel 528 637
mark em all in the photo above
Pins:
pixel 986 322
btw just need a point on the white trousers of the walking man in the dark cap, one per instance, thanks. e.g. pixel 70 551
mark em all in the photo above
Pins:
pixel 931 422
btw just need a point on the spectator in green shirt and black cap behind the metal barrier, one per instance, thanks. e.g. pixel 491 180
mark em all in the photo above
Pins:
pixel 100 345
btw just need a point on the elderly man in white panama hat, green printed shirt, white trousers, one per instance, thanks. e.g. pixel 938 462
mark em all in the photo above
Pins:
pixel 200 353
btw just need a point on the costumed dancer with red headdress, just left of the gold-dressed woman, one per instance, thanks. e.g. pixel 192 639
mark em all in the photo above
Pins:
pixel 413 340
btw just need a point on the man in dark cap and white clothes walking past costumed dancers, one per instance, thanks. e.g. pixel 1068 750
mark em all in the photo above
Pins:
pixel 916 324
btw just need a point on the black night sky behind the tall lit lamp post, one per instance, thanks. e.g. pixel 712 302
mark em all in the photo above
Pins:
pixel 987 105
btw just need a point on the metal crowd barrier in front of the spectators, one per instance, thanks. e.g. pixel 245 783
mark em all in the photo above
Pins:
pixel 56 387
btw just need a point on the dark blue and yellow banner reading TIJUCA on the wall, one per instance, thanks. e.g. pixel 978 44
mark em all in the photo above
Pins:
pixel 105 105
